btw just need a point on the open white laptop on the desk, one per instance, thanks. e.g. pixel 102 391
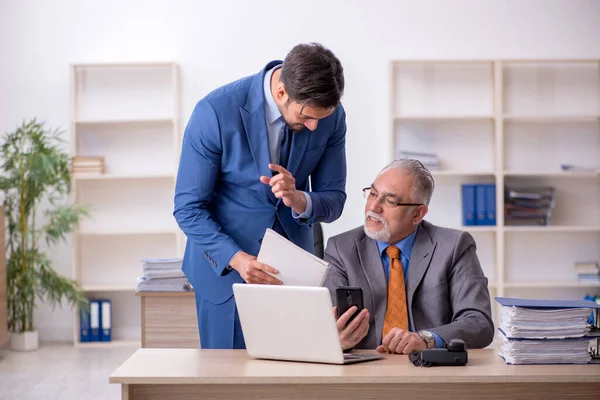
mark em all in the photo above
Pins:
pixel 292 323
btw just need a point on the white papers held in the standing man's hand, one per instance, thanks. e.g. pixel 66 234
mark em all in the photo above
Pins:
pixel 296 266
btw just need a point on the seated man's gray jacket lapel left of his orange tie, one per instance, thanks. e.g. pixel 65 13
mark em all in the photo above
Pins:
pixel 372 265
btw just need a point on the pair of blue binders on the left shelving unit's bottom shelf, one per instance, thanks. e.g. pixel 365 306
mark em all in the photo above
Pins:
pixel 95 322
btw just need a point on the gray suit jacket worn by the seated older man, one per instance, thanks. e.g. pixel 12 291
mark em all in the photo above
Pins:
pixel 446 289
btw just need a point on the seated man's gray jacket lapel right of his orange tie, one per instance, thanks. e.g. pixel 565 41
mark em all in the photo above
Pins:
pixel 419 262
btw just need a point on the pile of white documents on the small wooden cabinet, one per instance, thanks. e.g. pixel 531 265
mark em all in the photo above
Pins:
pixel 162 275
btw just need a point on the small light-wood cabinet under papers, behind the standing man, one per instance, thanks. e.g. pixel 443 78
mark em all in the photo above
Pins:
pixel 169 320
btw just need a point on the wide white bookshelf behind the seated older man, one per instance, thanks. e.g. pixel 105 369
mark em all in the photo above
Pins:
pixel 509 122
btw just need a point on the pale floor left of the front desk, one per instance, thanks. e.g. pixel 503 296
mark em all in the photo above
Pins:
pixel 61 371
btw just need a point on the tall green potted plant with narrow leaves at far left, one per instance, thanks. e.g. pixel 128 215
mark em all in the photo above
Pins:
pixel 35 177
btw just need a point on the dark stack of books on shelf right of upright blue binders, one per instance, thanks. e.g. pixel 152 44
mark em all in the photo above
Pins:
pixel 528 206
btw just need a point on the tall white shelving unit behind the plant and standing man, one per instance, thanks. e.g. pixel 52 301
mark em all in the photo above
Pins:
pixel 127 113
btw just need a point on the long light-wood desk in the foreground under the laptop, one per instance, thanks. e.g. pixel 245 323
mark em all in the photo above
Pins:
pixel 231 374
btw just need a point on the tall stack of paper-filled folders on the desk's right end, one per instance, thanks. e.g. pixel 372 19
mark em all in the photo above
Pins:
pixel 545 331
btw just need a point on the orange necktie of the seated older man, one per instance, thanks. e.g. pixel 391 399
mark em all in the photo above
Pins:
pixel 396 314
